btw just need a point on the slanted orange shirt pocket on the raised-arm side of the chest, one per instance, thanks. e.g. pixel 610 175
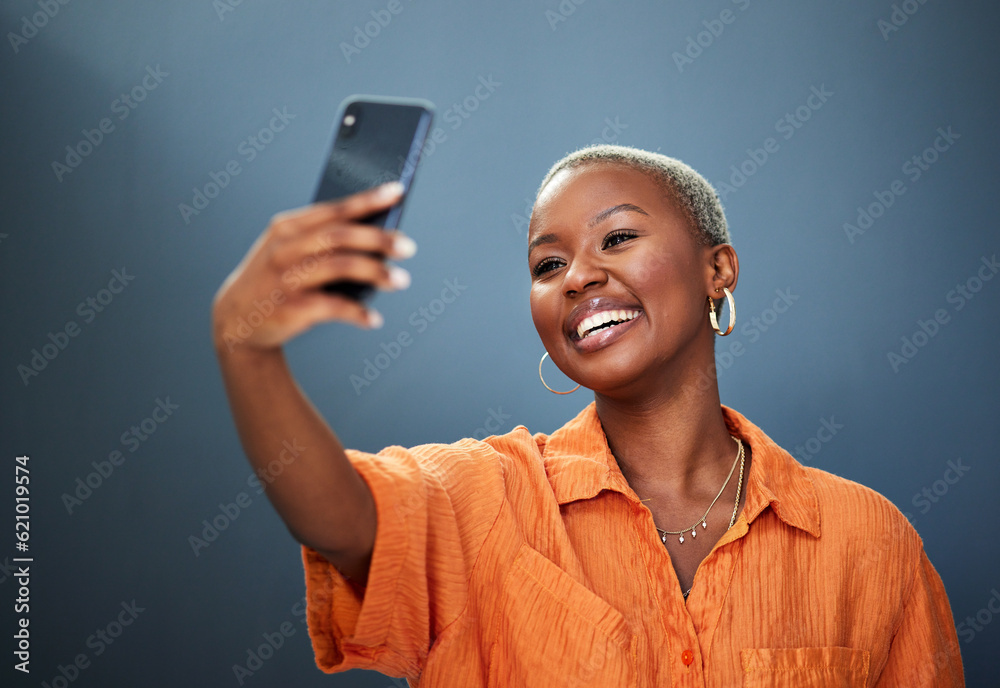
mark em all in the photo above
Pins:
pixel 552 631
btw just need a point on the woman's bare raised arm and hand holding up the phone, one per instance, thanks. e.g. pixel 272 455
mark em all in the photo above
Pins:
pixel 322 499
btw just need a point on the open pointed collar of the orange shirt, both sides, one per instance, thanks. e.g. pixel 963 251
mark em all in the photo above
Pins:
pixel 579 465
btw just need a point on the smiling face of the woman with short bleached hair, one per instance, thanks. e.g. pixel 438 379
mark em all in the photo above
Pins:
pixel 605 242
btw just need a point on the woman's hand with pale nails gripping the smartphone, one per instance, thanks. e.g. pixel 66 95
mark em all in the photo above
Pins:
pixel 276 292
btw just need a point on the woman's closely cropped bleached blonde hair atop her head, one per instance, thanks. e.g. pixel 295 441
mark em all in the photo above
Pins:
pixel 692 193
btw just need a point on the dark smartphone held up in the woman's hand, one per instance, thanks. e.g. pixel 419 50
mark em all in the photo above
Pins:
pixel 377 140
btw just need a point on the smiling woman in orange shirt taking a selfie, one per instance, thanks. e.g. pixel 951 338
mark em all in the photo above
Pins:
pixel 658 538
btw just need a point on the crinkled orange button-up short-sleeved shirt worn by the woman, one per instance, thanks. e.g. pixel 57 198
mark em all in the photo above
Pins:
pixel 527 560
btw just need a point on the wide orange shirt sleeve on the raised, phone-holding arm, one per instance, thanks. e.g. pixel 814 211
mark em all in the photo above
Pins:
pixel 435 505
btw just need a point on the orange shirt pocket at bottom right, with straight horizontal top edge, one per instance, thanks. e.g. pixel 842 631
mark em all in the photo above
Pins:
pixel 805 667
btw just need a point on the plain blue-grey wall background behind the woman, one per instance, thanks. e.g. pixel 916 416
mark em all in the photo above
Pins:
pixel 559 83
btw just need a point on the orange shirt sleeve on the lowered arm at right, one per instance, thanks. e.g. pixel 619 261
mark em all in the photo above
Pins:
pixel 925 650
